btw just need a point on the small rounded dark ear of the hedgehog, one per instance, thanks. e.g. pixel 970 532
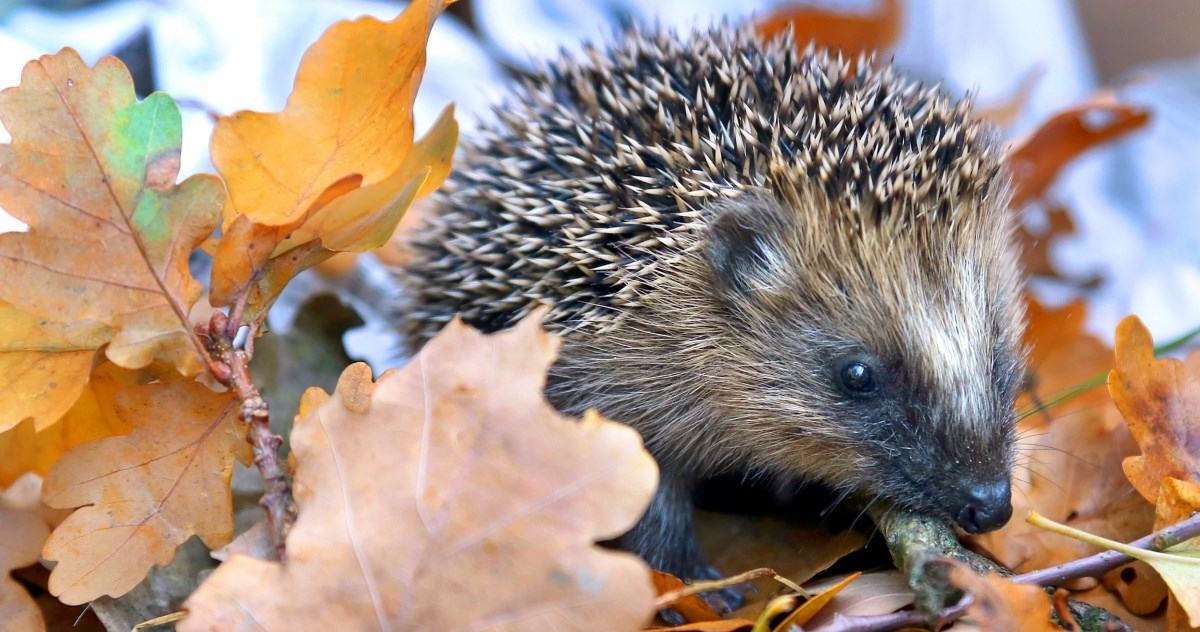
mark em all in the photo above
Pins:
pixel 743 251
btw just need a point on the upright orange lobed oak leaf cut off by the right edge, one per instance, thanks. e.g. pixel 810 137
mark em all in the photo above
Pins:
pixel 1161 402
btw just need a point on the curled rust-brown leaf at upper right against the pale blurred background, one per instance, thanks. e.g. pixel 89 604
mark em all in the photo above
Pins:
pixel 1037 159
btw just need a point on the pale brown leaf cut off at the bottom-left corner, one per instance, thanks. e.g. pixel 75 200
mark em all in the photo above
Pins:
pixel 22 533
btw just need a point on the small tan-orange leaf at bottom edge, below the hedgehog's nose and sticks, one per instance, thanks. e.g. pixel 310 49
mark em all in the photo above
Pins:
pixel 1001 606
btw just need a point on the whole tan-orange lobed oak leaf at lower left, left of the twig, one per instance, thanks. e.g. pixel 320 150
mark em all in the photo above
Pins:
pixel 143 495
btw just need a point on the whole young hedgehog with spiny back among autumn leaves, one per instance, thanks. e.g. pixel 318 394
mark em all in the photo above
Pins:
pixel 764 260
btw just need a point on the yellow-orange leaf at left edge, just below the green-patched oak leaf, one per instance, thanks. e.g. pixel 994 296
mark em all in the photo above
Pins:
pixel 44 368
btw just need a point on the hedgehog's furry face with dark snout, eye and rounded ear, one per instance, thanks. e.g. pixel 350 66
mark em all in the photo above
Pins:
pixel 891 359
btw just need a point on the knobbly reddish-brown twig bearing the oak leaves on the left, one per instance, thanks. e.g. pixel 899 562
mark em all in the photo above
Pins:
pixel 235 374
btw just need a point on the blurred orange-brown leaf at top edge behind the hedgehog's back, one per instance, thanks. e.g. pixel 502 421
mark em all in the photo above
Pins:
pixel 853 34
